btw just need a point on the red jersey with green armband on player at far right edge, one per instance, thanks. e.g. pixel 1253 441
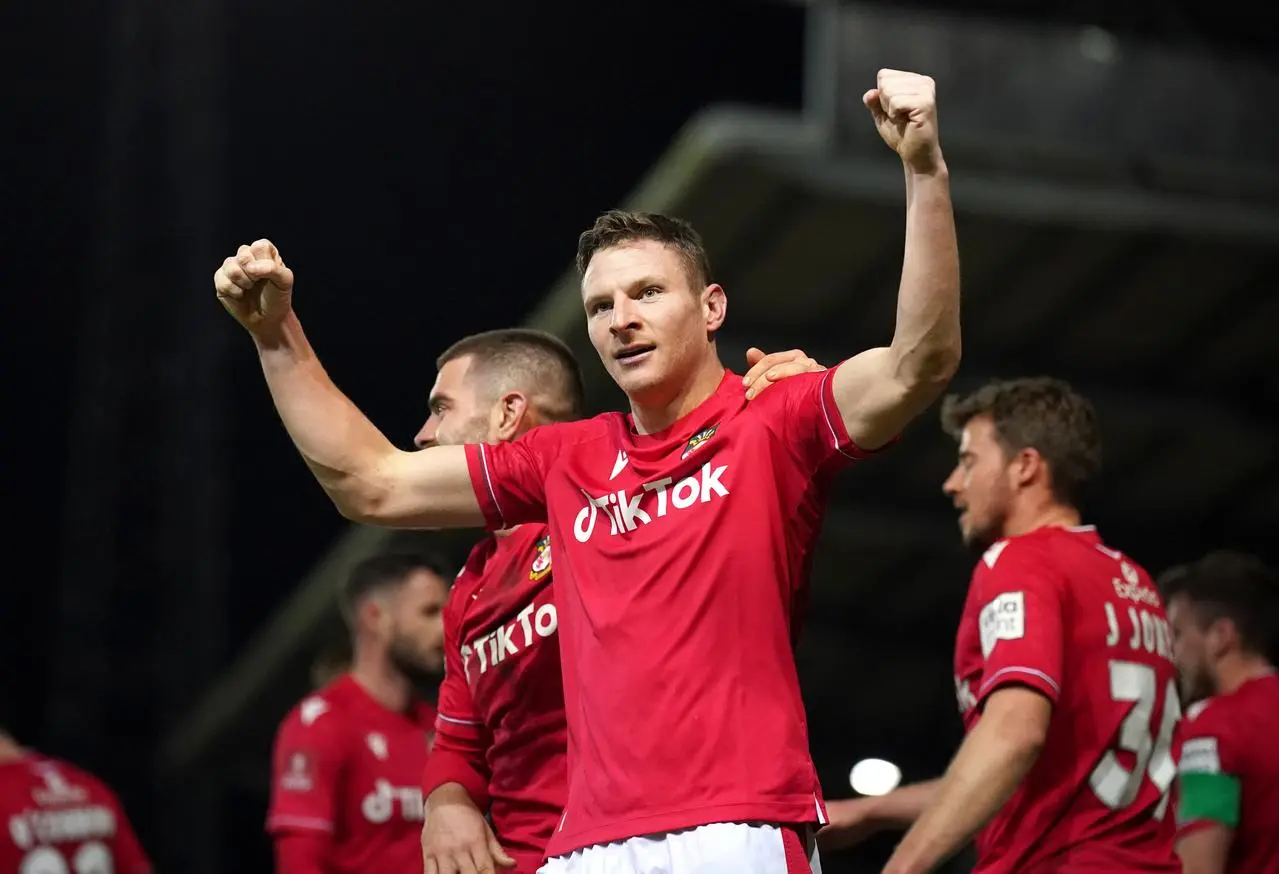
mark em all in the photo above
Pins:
pixel 1228 749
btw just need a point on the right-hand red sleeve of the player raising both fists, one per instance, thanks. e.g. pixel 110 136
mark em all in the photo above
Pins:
pixel 814 428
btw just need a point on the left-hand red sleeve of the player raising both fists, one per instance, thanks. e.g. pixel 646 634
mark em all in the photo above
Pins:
pixel 510 479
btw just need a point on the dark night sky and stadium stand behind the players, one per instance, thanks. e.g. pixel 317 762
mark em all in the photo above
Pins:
pixel 425 168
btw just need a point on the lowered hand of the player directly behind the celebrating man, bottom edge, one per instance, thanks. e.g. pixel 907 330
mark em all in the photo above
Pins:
pixel 457 839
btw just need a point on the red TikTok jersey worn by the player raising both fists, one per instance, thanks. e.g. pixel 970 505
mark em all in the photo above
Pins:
pixel 681 568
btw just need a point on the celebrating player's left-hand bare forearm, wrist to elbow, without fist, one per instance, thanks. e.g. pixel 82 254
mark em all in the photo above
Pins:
pixel 340 445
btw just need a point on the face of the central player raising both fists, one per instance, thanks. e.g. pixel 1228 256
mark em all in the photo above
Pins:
pixel 649 326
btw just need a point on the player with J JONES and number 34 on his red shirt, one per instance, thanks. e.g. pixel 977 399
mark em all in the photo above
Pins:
pixel 1063 665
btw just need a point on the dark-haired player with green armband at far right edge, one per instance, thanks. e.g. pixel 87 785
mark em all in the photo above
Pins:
pixel 1225 611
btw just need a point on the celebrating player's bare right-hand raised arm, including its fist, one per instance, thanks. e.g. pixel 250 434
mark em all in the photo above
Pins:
pixel 881 391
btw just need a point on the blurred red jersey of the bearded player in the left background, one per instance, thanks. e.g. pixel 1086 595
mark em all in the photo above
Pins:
pixel 349 767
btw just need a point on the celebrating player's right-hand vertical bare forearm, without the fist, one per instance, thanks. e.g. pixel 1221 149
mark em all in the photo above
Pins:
pixel 927 344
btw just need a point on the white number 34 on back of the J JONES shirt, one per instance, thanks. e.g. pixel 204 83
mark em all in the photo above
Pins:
pixel 1116 786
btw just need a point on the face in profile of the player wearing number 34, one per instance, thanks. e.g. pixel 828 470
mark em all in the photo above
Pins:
pixel 982 484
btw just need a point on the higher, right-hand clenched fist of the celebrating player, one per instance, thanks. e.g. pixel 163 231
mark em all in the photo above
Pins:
pixel 905 108
